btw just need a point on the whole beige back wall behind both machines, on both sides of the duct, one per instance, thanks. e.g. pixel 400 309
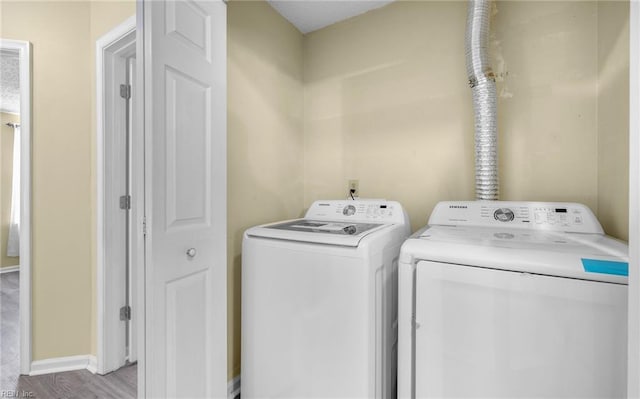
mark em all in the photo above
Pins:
pixel 387 102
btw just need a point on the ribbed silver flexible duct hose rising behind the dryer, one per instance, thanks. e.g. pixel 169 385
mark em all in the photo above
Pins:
pixel 483 86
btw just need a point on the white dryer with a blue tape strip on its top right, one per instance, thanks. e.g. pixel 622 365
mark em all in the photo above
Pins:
pixel 512 300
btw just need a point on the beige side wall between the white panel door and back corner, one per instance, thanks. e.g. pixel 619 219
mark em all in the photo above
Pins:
pixel 265 157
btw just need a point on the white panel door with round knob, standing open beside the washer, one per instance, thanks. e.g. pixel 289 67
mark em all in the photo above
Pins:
pixel 185 191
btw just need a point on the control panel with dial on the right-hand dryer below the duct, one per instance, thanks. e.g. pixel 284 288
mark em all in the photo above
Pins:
pixel 554 216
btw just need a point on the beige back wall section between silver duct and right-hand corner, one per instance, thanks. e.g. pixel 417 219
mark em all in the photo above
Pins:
pixel 546 57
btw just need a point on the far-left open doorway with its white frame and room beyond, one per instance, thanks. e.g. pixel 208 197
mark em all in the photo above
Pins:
pixel 15 57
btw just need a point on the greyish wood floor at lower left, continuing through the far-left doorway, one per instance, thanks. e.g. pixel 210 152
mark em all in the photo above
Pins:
pixel 80 384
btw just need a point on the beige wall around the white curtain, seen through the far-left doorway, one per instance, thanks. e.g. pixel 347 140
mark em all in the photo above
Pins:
pixel 6 179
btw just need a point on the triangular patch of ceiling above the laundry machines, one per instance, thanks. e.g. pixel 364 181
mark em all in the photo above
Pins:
pixel 310 15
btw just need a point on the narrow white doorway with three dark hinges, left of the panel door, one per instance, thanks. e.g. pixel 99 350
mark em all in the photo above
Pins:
pixel 116 194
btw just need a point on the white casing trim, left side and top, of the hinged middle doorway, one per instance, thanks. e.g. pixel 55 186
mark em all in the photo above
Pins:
pixel 104 329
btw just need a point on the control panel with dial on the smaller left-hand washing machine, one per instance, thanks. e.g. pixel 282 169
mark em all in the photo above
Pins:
pixel 373 211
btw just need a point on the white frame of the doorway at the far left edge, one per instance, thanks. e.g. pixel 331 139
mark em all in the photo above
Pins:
pixel 24 52
